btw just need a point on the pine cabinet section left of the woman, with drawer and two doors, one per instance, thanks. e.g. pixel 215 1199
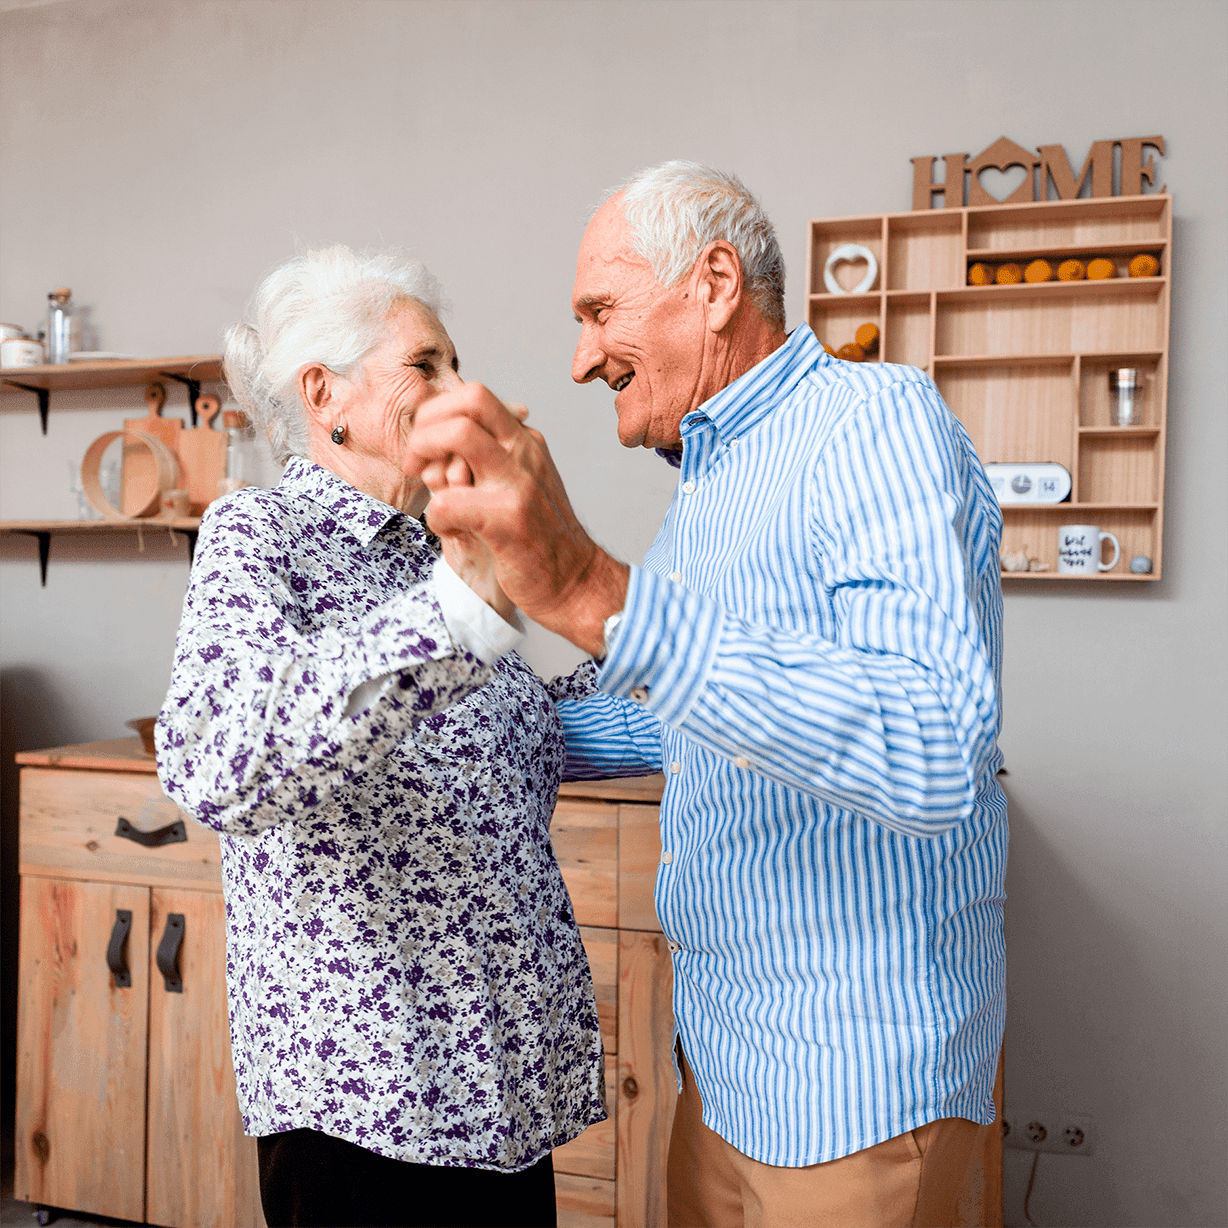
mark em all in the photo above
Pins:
pixel 126 1089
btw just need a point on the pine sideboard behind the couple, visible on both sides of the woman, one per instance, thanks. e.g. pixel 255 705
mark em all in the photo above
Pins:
pixel 126 1092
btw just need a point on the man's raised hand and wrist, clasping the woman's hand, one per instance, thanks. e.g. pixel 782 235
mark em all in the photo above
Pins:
pixel 493 477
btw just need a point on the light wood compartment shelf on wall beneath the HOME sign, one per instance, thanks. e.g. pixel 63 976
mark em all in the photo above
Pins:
pixel 1026 368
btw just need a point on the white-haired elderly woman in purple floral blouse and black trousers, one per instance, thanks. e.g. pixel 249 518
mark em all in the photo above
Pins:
pixel 412 1012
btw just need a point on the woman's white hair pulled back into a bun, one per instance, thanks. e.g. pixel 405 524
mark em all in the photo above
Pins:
pixel 330 306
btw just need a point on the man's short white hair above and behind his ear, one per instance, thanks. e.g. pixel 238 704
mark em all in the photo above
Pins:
pixel 677 209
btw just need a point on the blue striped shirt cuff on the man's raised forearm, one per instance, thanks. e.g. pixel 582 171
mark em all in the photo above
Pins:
pixel 664 650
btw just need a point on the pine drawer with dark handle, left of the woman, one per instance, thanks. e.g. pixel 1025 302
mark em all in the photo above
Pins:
pixel 68 828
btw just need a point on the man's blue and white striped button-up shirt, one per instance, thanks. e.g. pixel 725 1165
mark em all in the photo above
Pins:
pixel 812 655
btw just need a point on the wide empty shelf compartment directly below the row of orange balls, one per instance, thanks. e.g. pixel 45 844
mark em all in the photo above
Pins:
pixel 1044 324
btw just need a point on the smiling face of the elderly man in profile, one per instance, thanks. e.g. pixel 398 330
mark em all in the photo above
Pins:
pixel 645 341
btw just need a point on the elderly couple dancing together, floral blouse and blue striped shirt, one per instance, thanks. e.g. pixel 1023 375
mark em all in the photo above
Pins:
pixel 810 653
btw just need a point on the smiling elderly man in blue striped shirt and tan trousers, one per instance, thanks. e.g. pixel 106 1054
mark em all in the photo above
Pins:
pixel 811 653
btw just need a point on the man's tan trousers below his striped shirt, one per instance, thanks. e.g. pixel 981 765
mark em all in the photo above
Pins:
pixel 919 1179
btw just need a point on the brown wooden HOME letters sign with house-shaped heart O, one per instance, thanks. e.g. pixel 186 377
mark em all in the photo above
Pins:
pixel 1046 165
